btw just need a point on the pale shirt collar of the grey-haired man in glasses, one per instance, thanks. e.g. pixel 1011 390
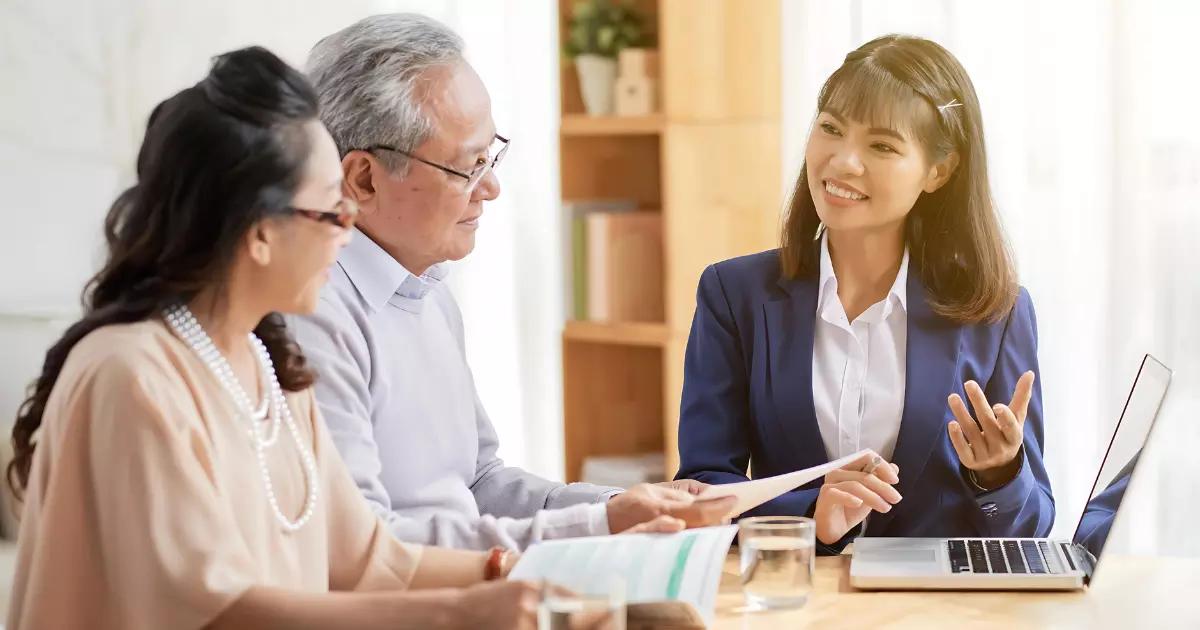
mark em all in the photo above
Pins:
pixel 379 277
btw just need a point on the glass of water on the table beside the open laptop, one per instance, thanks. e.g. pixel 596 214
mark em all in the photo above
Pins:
pixel 777 561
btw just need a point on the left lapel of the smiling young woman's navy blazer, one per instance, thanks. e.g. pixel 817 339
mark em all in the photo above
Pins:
pixel 790 326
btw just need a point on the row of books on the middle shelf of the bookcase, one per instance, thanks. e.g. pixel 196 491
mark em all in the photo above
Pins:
pixel 616 262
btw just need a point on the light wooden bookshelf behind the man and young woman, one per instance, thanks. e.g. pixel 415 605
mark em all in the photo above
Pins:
pixel 711 163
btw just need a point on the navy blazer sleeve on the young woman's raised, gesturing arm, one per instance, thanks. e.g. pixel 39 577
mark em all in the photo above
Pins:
pixel 1025 506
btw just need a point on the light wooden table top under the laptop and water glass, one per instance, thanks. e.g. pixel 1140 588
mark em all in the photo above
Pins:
pixel 1129 592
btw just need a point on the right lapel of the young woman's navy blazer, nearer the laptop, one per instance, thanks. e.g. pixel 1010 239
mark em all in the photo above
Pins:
pixel 933 357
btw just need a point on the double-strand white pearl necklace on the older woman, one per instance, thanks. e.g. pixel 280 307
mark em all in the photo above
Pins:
pixel 184 323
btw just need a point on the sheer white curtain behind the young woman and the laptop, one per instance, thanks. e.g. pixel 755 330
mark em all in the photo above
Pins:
pixel 1096 169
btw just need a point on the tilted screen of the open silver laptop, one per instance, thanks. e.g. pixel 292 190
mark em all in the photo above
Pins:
pixel 1129 440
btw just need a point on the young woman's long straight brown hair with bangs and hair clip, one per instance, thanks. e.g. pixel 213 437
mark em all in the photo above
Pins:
pixel 953 235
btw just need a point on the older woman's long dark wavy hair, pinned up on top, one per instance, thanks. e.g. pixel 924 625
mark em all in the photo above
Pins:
pixel 217 159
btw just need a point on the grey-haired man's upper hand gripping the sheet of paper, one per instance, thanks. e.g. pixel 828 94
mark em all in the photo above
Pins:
pixel 646 502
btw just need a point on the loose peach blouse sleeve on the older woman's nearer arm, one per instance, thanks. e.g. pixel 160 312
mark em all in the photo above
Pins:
pixel 172 555
